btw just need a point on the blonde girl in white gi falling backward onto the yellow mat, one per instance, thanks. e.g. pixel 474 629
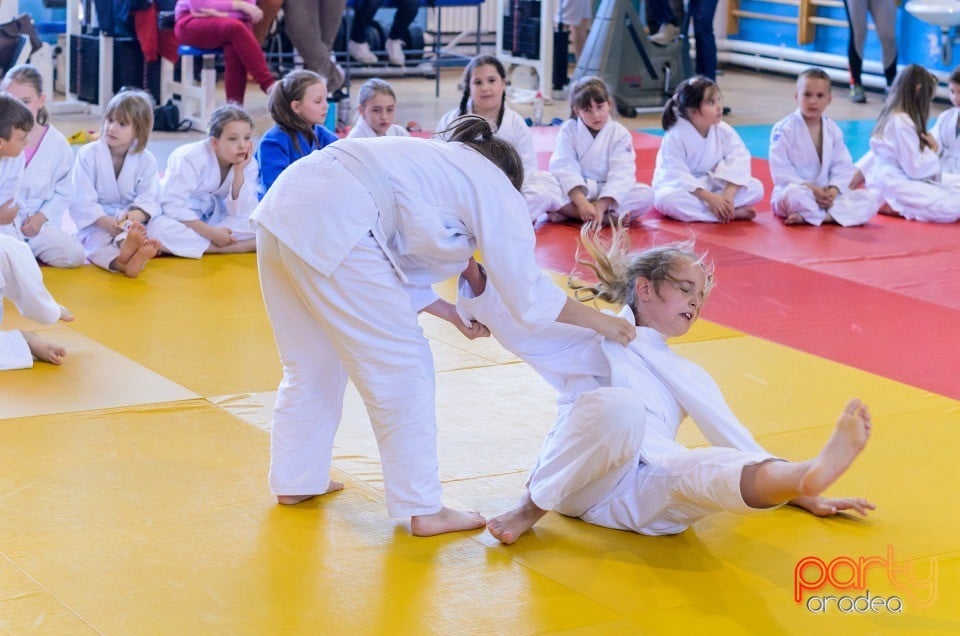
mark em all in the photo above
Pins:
pixel 612 458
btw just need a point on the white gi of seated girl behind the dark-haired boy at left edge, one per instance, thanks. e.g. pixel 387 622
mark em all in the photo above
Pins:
pixel 46 186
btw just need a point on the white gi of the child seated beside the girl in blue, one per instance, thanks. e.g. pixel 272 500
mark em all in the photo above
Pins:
pixel 191 190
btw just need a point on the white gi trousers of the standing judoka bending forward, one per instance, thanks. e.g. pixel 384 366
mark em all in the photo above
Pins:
pixel 358 322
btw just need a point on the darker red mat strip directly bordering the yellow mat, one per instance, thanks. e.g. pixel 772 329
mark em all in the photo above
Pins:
pixel 866 327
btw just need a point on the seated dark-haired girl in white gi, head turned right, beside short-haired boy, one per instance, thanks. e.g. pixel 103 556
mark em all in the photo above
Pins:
pixel 703 167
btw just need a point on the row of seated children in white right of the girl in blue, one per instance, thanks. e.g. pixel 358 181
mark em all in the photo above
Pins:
pixel 702 170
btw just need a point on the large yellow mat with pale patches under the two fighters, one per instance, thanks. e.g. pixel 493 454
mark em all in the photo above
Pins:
pixel 133 494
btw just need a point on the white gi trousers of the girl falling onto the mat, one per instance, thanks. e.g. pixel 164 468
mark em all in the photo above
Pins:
pixel 591 467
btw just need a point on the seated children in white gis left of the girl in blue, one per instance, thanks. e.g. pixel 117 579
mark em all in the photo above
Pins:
pixel 123 214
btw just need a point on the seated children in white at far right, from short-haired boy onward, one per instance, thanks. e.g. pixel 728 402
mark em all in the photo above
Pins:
pixel 909 171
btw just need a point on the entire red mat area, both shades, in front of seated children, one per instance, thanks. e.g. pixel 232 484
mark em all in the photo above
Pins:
pixel 882 298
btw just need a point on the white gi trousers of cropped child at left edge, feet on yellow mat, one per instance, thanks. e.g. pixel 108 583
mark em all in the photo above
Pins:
pixel 22 282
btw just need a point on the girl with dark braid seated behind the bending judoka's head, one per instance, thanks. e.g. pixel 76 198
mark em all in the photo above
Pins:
pixel 484 85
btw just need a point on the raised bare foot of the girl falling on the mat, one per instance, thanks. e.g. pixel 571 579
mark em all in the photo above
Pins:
pixel 849 437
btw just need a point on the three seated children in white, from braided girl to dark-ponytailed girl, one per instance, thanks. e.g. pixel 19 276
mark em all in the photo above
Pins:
pixel 592 170
